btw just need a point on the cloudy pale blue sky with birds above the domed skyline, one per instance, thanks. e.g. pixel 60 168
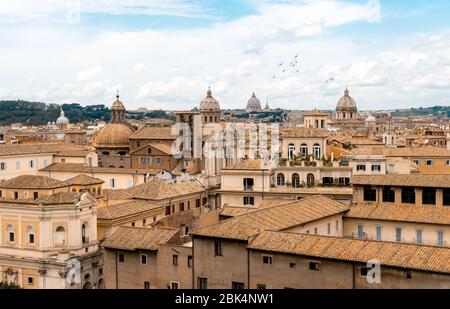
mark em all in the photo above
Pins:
pixel 163 54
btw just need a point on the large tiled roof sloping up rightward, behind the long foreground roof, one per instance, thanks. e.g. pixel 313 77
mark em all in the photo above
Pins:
pixel 275 218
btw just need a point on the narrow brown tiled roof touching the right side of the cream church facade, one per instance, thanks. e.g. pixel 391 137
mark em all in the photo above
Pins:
pixel 124 209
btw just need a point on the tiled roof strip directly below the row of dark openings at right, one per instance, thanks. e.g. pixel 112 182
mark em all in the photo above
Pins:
pixel 417 214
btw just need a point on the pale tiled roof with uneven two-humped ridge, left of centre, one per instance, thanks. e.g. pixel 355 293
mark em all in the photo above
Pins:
pixel 159 190
